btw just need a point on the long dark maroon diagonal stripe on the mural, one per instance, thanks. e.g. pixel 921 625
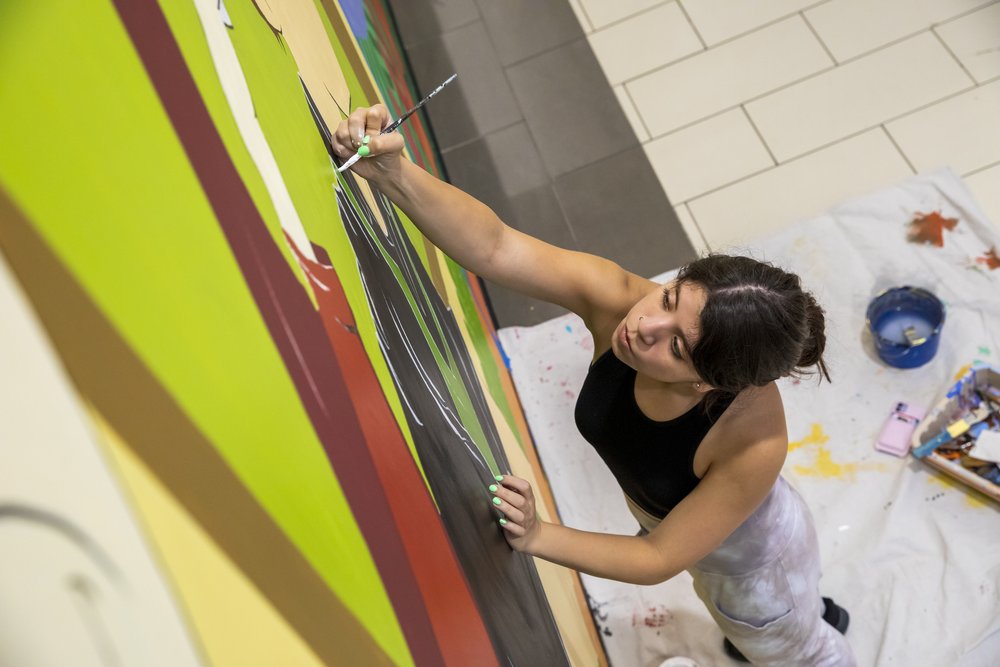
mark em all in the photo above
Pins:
pixel 294 325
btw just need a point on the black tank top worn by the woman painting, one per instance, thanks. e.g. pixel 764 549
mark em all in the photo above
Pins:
pixel 653 461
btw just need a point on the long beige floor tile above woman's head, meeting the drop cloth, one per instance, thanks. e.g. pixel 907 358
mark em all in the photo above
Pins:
pixel 798 190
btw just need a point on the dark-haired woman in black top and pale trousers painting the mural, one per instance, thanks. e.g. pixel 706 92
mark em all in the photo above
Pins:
pixel 681 403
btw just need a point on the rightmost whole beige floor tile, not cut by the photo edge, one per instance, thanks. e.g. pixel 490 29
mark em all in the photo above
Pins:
pixel 856 96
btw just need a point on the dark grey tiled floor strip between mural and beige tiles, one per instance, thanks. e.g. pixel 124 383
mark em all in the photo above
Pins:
pixel 534 130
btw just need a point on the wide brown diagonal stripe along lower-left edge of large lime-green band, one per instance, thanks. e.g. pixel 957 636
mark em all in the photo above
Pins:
pixel 108 374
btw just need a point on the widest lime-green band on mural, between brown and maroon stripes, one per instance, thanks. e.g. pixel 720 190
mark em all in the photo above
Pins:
pixel 141 238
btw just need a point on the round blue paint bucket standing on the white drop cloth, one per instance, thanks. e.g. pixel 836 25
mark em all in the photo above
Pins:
pixel 906 325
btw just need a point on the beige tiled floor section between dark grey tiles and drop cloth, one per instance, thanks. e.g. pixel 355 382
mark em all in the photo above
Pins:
pixel 758 114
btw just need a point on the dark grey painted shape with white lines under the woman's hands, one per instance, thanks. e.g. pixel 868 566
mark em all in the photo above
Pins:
pixel 413 332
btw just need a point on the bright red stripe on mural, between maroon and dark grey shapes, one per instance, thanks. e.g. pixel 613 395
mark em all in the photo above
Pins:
pixel 457 623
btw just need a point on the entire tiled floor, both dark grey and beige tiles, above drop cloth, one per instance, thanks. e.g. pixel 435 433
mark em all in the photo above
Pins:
pixel 753 114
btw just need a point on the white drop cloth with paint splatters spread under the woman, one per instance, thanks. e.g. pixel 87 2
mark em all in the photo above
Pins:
pixel 913 556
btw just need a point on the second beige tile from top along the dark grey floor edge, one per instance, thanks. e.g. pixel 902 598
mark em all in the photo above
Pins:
pixel 644 42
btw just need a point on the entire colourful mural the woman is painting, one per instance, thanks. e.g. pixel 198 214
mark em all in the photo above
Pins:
pixel 263 411
